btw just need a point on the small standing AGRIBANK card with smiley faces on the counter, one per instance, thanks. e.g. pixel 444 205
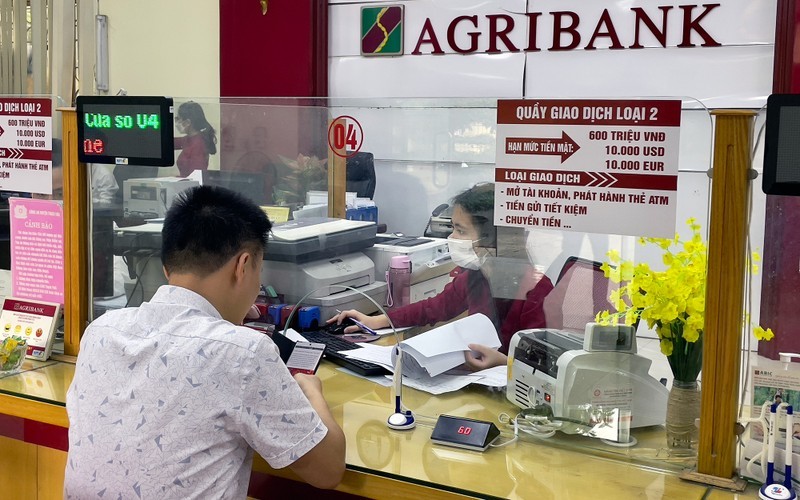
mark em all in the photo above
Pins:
pixel 33 321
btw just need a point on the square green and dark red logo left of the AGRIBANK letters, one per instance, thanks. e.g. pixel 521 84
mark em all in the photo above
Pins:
pixel 382 31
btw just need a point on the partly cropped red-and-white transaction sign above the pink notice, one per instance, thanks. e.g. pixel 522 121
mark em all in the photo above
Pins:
pixel 26 143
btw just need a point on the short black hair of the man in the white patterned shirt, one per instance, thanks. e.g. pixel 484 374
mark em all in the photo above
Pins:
pixel 208 225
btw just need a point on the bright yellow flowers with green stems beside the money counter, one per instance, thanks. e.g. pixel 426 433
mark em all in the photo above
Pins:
pixel 672 301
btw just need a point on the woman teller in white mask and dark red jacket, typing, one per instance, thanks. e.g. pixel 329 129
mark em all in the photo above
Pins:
pixel 472 246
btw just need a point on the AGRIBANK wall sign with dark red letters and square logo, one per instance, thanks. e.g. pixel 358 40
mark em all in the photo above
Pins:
pixel 383 28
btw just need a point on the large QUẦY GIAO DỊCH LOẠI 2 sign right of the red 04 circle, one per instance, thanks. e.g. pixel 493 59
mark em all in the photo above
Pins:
pixel 600 166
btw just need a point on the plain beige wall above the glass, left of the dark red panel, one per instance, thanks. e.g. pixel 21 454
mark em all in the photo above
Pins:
pixel 159 47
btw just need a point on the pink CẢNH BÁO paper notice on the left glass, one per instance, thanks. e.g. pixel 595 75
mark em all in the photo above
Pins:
pixel 37 249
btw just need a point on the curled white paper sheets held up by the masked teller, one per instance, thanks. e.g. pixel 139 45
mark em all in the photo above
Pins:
pixel 438 350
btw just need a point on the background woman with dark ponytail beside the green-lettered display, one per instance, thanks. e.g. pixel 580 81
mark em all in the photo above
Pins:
pixel 199 141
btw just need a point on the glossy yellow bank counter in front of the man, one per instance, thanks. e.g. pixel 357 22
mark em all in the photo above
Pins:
pixel 381 463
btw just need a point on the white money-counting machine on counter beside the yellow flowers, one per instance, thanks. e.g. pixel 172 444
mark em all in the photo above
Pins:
pixel 565 372
